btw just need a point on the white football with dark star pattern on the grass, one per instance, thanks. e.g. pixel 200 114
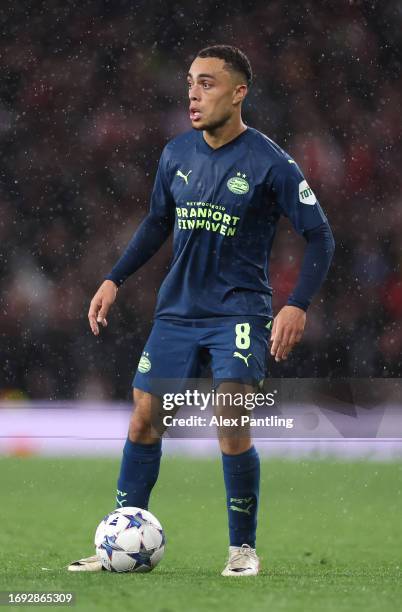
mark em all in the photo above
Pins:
pixel 130 540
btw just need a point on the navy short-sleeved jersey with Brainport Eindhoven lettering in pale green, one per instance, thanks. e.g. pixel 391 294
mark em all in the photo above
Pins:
pixel 224 205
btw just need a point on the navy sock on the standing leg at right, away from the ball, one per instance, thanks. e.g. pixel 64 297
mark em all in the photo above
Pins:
pixel 242 482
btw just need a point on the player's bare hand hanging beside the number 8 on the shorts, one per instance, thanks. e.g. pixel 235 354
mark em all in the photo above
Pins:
pixel 287 331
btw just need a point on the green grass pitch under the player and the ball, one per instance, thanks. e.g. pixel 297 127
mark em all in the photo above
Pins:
pixel 329 536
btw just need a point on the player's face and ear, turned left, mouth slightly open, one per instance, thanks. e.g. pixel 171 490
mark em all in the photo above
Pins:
pixel 214 93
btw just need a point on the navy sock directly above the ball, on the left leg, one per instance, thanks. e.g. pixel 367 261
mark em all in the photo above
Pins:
pixel 138 473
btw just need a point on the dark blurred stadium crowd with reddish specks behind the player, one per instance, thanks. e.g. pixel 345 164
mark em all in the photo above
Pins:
pixel 91 92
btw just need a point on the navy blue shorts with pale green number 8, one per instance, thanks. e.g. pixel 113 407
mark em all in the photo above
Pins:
pixel 234 348
